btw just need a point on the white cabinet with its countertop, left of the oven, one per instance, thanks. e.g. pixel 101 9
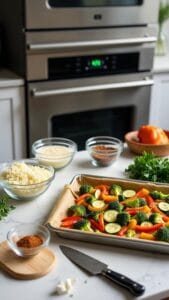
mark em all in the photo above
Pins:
pixel 12 117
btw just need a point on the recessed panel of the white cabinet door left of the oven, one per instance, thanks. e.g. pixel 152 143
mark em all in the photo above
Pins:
pixel 6 130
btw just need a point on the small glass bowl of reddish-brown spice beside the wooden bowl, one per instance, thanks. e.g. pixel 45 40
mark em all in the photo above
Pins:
pixel 104 150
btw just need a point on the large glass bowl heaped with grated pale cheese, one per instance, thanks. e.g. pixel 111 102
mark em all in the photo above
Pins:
pixel 25 179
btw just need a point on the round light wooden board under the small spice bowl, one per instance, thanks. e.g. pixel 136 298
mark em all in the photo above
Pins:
pixel 26 268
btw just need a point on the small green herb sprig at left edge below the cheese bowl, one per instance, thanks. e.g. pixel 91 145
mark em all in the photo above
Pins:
pixel 5 206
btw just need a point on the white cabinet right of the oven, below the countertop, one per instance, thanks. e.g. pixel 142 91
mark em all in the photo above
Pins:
pixel 159 110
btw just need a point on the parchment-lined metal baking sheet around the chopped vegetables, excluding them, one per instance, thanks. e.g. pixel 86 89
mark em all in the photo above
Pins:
pixel 67 199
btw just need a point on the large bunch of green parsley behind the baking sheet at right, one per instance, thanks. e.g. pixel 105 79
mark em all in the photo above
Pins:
pixel 150 168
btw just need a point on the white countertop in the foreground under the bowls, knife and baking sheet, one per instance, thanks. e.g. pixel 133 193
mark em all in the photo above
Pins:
pixel 150 269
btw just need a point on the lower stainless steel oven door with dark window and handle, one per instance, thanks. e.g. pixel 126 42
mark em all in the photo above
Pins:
pixel 80 108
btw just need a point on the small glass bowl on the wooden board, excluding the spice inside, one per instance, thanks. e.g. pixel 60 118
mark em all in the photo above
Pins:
pixel 25 230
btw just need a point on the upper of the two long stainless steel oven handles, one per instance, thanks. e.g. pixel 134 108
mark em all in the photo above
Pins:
pixel 101 43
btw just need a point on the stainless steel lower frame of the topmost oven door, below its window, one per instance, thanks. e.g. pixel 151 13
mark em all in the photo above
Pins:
pixel 43 14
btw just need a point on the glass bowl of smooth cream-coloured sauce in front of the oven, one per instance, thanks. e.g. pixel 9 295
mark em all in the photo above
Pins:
pixel 55 152
